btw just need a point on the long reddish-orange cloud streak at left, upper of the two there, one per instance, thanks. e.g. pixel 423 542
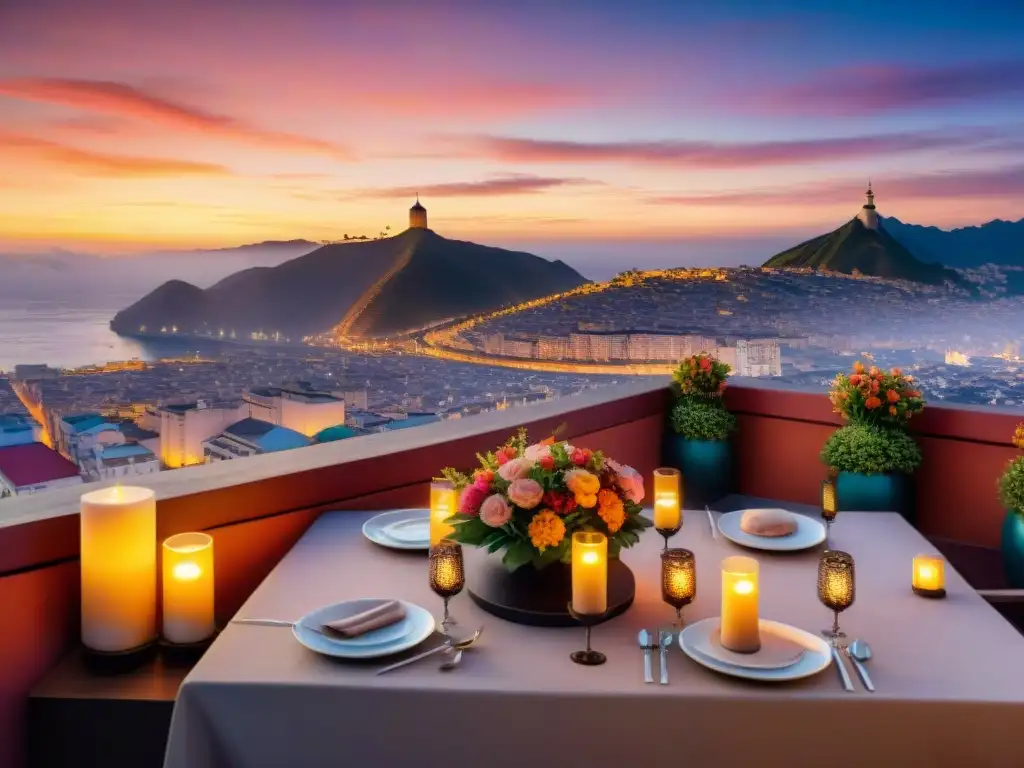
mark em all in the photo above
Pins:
pixel 129 102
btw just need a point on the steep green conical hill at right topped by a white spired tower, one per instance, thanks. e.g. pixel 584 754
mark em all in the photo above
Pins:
pixel 864 246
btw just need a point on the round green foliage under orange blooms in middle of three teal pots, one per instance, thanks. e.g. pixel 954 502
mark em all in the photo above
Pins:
pixel 870 451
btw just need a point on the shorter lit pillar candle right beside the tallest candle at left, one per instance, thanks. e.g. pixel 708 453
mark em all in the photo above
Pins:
pixel 189 588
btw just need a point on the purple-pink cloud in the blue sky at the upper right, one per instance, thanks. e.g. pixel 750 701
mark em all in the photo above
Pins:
pixel 866 91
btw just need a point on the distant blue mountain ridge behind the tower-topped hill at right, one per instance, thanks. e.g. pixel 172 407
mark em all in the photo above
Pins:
pixel 996 243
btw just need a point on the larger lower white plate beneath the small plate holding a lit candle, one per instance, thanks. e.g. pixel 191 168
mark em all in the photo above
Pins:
pixel 696 643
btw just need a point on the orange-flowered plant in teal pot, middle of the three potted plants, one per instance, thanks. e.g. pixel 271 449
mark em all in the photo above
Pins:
pixel 874 457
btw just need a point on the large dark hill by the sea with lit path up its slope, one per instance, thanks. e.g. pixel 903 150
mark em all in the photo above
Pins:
pixel 373 289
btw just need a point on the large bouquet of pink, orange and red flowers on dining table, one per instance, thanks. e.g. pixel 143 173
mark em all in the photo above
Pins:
pixel 529 500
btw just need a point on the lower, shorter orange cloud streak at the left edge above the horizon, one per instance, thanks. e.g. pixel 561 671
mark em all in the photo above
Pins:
pixel 92 163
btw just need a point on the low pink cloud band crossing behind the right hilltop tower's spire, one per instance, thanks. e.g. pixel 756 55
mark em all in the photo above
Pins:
pixel 1002 183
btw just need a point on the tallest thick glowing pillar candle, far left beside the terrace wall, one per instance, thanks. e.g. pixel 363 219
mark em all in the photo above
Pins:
pixel 118 529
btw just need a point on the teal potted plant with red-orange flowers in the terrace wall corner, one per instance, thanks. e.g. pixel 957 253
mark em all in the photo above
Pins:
pixel 698 442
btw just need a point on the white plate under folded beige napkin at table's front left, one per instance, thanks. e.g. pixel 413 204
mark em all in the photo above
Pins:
pixel 416 627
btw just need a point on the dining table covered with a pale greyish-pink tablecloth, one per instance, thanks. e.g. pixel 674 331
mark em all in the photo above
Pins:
pixel 949 673
